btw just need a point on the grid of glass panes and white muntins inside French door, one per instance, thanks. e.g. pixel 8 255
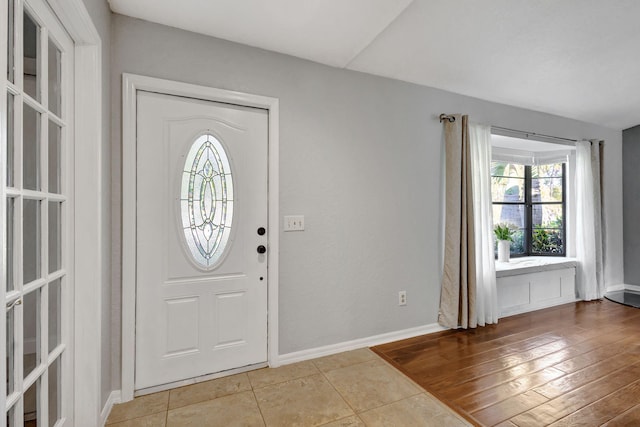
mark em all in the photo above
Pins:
pixel 35 206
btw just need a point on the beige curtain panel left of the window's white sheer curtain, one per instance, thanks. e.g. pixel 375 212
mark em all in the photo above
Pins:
pixel 458 294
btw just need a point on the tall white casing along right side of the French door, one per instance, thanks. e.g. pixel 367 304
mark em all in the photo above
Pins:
pixel 84 351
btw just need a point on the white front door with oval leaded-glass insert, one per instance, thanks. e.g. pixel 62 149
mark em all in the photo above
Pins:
pixel 201 291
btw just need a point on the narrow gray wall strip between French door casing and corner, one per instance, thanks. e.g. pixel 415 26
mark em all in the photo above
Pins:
pixel 101 17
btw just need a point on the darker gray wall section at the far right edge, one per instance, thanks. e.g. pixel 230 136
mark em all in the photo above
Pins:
pixel 631 191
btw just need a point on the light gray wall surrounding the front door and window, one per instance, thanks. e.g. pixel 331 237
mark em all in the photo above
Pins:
pixel 361 158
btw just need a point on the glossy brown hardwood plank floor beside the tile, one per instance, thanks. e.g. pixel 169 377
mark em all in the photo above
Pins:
pixel 571 365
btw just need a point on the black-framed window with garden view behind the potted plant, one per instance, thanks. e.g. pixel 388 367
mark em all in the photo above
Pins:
pixel 531 199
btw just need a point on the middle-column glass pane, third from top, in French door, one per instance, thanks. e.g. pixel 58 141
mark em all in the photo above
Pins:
pixel 31 240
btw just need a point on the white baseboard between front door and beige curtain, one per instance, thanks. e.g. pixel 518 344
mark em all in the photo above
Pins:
pixel 327 350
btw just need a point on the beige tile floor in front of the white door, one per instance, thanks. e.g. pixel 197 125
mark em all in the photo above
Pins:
pixel 351 389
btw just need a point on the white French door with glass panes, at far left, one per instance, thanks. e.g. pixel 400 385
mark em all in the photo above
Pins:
pixel 36 108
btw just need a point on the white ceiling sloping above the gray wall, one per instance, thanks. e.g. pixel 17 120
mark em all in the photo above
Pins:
pixel 573 58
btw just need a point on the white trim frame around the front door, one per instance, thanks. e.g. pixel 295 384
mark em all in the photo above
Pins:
pixel 131 84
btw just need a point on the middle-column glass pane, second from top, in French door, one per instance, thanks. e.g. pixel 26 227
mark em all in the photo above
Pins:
pixel 31 148
